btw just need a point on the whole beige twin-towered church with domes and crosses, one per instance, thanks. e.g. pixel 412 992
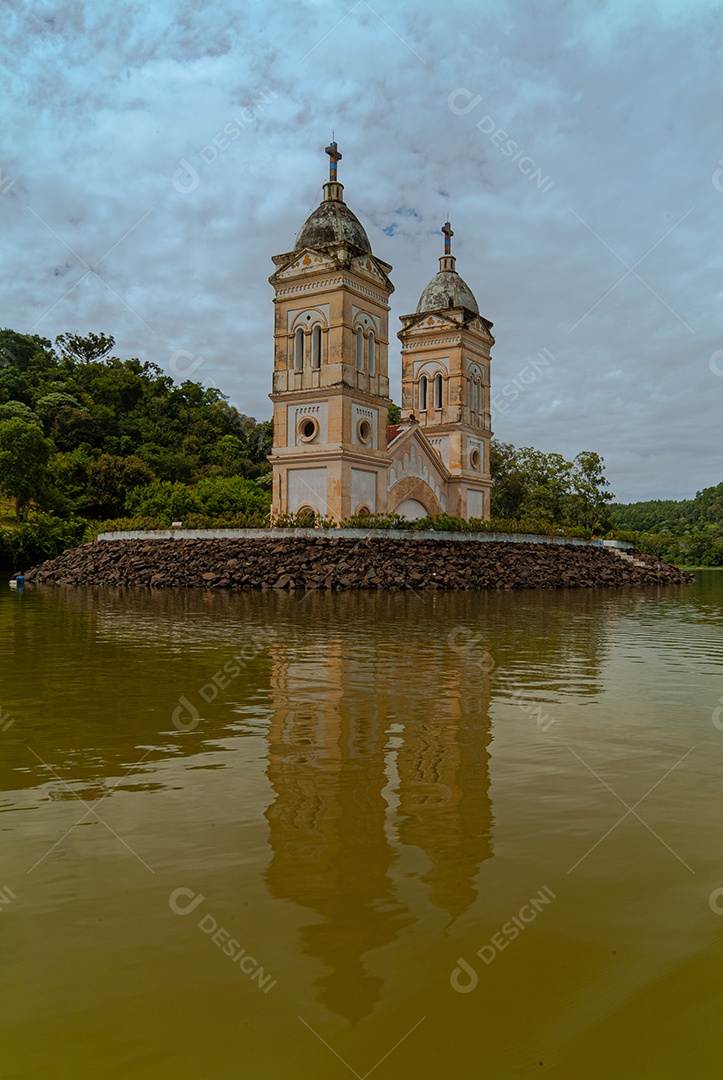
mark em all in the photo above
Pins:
pixel 334 454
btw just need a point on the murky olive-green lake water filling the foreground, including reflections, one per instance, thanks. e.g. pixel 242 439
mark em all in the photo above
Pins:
pixel 307 838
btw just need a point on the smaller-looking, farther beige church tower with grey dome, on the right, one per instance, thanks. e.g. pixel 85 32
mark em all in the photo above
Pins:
pixel 446 383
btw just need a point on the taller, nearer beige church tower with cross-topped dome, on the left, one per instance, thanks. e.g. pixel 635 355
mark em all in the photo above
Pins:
pixel 331 386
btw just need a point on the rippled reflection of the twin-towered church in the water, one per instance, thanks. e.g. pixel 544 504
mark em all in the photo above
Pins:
pixel 373 757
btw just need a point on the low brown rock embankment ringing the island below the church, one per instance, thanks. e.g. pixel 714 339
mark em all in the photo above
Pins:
pixel 339 563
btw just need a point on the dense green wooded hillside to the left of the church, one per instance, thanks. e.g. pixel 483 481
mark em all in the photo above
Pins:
pixel 85 435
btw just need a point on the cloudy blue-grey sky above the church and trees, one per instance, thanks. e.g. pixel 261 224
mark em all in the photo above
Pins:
pixel 156 157
